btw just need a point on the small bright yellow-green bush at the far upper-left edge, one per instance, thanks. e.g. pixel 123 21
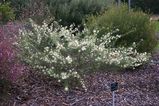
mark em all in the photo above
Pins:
pixel 6 13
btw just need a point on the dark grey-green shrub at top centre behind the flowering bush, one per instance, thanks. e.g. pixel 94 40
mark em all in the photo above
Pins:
pixel 74 11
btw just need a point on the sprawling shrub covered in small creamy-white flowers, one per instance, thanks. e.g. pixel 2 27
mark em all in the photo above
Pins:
pixel 62 55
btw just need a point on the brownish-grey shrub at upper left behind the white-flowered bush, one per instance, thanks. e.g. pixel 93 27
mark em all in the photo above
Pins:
pixel 36 9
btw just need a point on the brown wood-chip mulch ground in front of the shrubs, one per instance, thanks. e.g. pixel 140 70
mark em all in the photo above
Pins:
pixel 139 87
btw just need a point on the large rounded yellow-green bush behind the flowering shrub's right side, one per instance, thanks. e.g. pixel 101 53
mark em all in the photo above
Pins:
pixel 134 26
